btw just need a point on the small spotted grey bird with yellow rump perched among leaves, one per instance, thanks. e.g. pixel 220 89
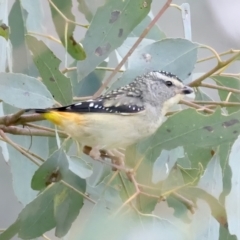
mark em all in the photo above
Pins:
pixel 120 117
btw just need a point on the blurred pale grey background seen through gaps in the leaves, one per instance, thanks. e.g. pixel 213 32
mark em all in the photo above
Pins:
pixel 214 23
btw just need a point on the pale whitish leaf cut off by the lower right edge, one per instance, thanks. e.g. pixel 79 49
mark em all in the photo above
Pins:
pixel 233 199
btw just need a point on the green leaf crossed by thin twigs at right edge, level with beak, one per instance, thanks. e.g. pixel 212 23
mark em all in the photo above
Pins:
pixel 229 82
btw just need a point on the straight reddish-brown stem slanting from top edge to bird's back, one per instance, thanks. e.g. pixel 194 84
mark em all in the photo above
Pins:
pixel 141 37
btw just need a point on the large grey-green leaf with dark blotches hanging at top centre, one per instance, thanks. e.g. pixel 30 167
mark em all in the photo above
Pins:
pixel 110 26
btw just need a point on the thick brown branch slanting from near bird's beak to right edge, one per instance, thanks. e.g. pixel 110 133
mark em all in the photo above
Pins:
pixel 197 82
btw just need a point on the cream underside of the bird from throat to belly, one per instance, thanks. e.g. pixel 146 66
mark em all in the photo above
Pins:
pixel 110 131
